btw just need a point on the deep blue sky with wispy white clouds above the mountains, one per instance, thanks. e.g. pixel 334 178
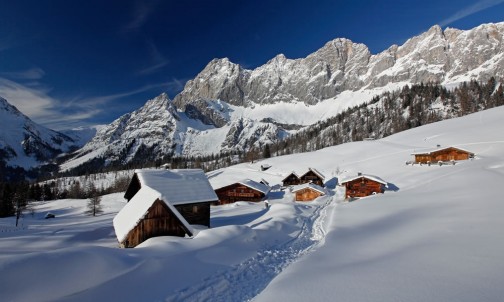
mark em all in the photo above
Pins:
pixel 78 63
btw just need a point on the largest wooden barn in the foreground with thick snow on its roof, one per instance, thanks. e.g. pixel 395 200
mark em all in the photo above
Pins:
pixel 163 203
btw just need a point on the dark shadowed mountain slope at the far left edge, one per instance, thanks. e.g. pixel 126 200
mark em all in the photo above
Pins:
pixel 26 144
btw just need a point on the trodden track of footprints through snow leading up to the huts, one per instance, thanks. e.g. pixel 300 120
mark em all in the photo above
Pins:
pixel 244 281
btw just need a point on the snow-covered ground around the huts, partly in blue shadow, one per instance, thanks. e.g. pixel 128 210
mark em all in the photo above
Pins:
pixel 435 235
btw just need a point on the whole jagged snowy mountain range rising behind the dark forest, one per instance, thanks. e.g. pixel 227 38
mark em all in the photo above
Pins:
pixel 228 108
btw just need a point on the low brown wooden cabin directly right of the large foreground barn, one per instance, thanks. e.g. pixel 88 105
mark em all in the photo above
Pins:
pixel 245 190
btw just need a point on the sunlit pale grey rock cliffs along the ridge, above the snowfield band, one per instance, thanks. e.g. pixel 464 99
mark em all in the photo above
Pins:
pixel 436 55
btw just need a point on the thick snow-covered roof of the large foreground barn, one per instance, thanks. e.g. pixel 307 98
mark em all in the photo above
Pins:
pixel 173 187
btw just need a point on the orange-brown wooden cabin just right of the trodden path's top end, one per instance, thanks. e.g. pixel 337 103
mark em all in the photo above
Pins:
pixel 363 185
